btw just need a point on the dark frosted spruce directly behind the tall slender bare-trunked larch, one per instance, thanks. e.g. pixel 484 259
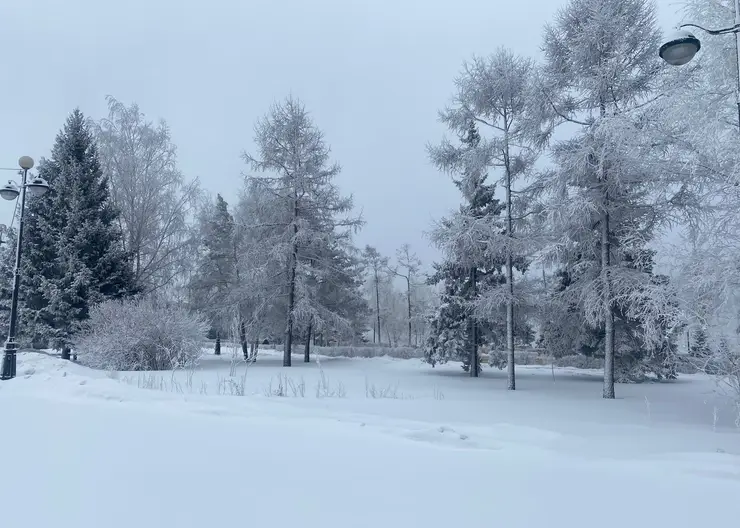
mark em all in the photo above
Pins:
pixel 473 262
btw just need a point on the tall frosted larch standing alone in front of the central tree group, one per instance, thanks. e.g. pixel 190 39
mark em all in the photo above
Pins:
pixel 294 161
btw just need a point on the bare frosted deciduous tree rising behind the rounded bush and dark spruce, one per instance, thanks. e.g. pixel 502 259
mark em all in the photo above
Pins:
pixel 155 201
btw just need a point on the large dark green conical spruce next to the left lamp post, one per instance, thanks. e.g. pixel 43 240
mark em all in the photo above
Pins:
pixel 73 254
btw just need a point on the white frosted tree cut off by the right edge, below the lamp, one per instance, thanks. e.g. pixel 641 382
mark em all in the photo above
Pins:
pixel 705 111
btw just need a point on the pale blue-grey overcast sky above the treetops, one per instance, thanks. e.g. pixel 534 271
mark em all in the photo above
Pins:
pixel 373 73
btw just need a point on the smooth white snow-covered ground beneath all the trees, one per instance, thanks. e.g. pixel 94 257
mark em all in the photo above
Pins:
pixel 377 443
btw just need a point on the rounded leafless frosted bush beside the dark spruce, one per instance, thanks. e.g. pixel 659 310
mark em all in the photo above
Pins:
pixel 139 335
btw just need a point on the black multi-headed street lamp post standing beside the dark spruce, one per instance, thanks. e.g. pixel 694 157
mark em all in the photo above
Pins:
pixel 37 187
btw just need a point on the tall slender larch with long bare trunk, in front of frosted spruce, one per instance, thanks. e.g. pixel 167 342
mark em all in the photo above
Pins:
pixel 497 94
